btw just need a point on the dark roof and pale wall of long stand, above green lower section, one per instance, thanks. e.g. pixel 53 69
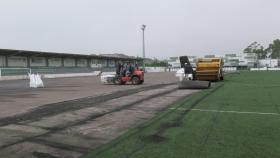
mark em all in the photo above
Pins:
pixel 33 59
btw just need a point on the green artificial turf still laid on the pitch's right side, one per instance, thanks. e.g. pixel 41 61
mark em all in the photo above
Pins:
pixel 183 133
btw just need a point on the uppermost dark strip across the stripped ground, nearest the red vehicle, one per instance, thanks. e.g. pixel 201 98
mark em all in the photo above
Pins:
pixel 72 105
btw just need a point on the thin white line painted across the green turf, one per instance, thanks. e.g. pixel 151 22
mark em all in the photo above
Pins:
pixel 221 111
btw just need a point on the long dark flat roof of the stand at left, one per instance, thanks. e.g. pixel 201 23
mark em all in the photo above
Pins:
pixel 12 52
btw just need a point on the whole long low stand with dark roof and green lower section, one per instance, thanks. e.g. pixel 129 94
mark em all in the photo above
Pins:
pixel 18 62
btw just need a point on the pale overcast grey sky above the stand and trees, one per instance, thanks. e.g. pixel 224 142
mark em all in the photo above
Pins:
pixel 174 27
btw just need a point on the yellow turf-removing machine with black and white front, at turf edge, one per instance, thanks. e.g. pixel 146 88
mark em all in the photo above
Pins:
pixel 206 70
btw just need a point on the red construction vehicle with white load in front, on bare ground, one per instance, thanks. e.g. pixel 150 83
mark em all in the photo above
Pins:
pixel 121 78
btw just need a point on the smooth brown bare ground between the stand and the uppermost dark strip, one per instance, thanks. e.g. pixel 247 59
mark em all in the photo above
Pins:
pixel 16 97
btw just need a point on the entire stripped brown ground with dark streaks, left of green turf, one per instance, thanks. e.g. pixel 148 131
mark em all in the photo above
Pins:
pixel 74 115
